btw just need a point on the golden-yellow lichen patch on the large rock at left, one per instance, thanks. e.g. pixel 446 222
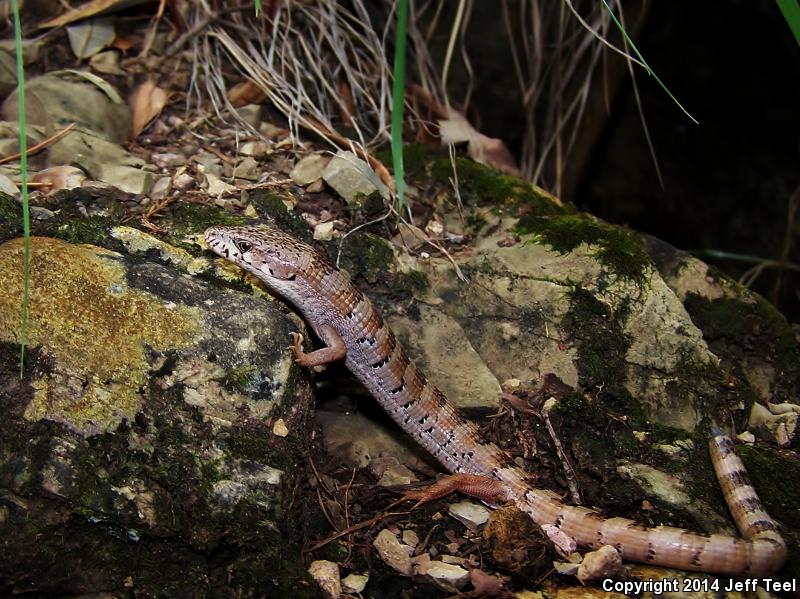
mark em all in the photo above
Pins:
pixel 95 327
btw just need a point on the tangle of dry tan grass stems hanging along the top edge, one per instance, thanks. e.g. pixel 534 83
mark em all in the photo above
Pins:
pixel 327 68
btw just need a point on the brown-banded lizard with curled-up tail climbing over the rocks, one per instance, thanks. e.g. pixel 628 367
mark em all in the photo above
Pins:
pixel 353 330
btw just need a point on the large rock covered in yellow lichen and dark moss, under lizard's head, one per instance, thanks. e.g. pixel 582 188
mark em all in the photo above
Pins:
pixel 131 401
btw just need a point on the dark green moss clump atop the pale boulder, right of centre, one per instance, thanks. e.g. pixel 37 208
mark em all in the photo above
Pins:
pixel 615 247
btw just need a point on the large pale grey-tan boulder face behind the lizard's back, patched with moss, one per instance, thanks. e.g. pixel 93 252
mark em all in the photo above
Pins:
pixel 519 295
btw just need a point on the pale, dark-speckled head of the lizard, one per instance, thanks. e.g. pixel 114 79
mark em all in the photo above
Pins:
pixel 273 256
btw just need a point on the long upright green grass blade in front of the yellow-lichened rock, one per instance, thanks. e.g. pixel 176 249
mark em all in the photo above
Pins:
pixel 23 165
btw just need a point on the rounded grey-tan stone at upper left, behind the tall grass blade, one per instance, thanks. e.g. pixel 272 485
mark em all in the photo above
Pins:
pixel 58 98
